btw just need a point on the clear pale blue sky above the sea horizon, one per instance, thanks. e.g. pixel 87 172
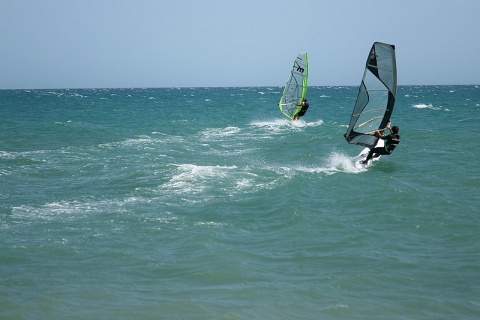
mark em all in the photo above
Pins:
pixel 187 43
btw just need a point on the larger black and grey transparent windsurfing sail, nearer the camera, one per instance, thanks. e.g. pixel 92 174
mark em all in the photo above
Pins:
pixel 376 96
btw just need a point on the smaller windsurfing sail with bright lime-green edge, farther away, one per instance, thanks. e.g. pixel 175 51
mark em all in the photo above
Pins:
pixel 296 87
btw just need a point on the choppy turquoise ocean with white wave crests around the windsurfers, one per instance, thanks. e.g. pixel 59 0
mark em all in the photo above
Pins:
pixel 207 203
